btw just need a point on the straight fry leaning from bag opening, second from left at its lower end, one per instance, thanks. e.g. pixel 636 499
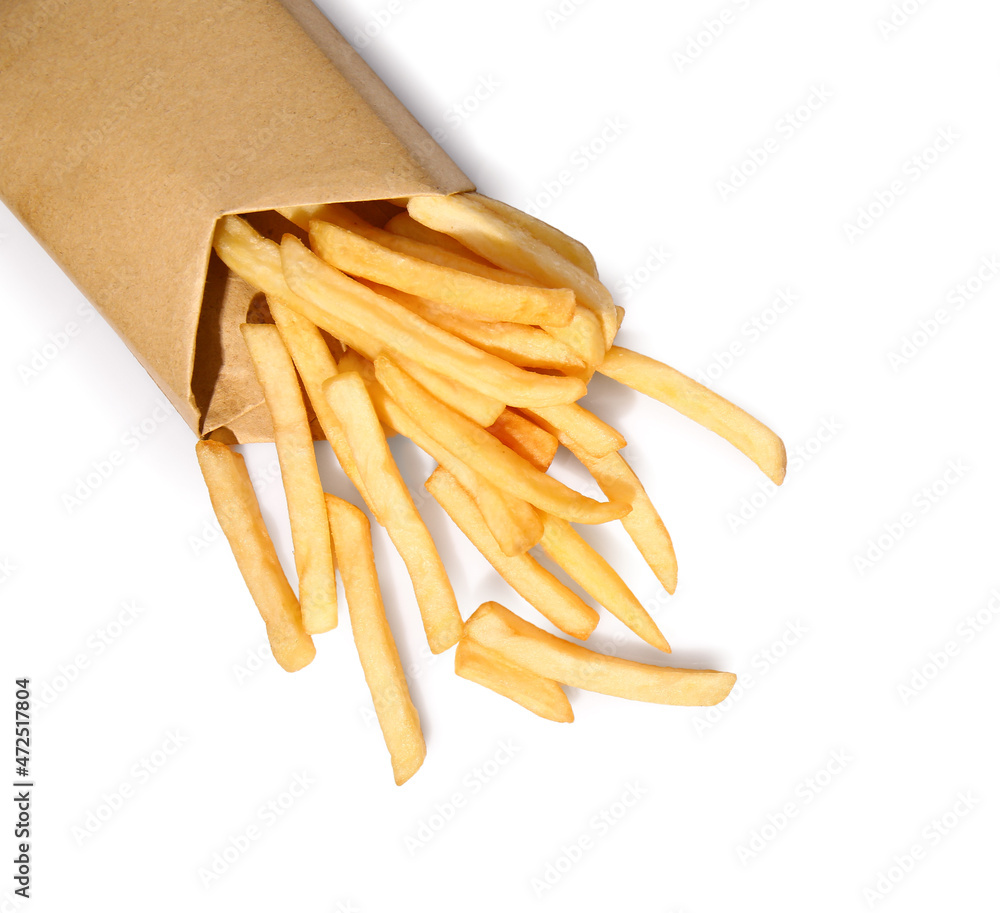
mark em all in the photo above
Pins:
pixel 314 560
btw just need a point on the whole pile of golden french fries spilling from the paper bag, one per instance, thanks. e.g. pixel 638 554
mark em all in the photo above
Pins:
pixel 472 329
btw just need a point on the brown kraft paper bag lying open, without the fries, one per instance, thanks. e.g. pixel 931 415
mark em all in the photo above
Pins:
pixel 127 127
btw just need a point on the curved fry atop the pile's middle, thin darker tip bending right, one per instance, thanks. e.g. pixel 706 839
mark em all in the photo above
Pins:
pixel 497 463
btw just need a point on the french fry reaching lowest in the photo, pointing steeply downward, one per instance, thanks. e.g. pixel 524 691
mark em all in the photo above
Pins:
pixel 373 638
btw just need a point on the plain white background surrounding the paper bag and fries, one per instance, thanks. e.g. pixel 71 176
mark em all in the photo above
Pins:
pixel 808 789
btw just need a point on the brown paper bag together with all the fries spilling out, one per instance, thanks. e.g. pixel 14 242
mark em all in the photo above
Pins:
pixel 294 260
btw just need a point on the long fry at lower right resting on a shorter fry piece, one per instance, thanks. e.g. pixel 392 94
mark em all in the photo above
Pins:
pixel 529 647
